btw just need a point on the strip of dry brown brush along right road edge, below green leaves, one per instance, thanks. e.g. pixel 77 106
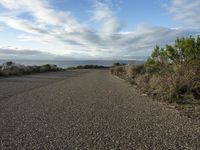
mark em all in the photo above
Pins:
pixel 180 84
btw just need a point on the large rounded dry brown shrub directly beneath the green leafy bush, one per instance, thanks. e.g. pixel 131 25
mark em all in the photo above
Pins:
pixel 180 85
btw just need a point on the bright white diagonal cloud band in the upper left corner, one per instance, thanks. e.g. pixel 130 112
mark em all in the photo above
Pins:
pixel 43 13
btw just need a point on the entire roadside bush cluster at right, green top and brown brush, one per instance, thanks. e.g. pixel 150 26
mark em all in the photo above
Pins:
pixel 171 73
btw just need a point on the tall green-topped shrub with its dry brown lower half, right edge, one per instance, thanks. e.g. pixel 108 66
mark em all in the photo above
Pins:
pixel 177 69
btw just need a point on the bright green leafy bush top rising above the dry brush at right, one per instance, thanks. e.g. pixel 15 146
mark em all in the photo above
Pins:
pixel 185 51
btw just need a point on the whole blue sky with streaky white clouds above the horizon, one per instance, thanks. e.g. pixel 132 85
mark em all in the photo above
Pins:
pixel 93 29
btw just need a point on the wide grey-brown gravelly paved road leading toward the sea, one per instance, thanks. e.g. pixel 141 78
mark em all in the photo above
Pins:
pixel 87 109
